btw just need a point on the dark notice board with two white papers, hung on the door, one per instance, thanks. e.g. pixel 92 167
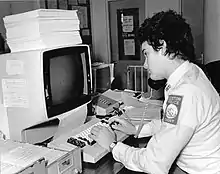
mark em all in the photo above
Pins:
pixel 128 25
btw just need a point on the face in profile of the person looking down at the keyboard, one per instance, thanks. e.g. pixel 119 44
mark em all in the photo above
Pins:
pixel 153 61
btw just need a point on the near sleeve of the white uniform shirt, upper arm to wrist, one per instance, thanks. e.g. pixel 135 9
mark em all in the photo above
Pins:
pixel 163 147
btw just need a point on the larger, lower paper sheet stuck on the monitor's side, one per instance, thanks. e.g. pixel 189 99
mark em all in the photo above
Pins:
pixel 15 93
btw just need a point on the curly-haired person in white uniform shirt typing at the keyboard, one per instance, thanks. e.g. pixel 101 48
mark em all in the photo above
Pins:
pixel 188 135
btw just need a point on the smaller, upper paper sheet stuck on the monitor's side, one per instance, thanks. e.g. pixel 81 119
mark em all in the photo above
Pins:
pixel 14 67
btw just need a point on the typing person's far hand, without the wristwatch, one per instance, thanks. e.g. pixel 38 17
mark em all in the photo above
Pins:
pixel 123 125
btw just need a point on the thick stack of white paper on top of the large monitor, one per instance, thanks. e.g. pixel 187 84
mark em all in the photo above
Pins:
pixel 42 28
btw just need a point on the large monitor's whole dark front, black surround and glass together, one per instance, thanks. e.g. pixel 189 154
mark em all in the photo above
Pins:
pixel 65 79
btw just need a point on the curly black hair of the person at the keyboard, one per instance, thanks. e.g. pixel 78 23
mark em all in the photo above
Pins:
pixel 173 29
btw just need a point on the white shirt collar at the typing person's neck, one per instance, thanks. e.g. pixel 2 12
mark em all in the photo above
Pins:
pixel 176 75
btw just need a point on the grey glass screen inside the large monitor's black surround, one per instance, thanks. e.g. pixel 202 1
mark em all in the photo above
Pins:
pixel 66 78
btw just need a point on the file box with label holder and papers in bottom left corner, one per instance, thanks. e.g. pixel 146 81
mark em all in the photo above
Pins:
pixel 24 155
